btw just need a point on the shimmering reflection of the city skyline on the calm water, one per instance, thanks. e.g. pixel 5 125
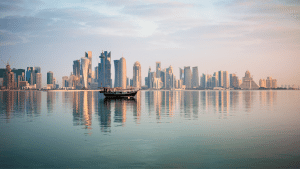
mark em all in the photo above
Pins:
pixel 163 106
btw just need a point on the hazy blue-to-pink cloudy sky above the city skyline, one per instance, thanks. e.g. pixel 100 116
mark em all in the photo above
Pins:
pixel 260 36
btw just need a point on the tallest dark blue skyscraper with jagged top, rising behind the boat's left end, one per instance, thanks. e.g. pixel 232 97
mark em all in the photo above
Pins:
pixel 104 70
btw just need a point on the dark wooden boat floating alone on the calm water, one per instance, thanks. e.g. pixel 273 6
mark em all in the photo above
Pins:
pixel 118 92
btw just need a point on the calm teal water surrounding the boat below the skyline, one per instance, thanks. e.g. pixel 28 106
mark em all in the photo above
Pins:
pixel 171 129
